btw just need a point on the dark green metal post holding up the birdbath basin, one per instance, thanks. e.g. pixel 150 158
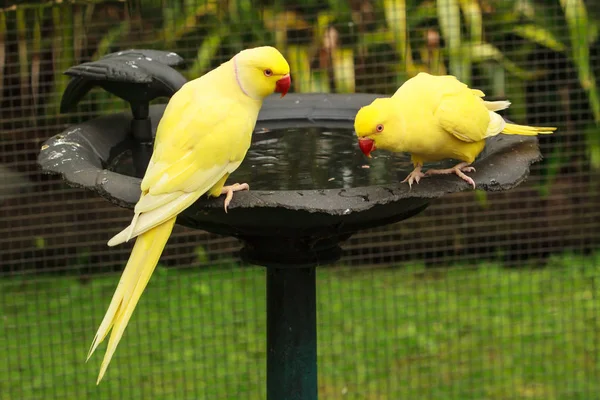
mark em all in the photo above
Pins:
pixel 291 334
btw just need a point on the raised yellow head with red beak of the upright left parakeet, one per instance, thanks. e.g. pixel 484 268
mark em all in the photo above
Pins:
pixel 262 71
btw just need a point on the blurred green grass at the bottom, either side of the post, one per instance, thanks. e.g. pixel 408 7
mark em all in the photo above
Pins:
pixel 405 333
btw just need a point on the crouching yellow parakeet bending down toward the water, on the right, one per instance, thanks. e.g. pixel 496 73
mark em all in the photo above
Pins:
pixel 435 118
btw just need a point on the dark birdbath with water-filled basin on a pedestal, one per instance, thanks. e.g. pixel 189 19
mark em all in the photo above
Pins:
pixel 311 189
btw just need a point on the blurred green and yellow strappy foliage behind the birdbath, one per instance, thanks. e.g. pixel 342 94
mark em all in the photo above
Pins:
pixel 514 48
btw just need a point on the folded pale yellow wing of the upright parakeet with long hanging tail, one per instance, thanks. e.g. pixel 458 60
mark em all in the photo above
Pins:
pixel 202 139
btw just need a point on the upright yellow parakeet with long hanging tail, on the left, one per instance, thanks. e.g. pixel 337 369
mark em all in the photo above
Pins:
pixel 202 137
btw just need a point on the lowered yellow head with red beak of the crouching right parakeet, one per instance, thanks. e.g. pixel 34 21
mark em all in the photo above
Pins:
pixel 373 124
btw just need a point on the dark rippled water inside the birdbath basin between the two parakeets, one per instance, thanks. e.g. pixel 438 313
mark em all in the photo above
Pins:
pixel 305 159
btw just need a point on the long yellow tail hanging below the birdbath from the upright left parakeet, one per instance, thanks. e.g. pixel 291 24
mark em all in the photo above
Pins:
pixel 144 257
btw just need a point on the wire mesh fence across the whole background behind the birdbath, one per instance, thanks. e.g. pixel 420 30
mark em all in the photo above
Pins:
pixel 483 295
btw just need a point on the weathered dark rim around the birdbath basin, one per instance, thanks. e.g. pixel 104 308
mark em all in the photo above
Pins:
pixel 300 111
